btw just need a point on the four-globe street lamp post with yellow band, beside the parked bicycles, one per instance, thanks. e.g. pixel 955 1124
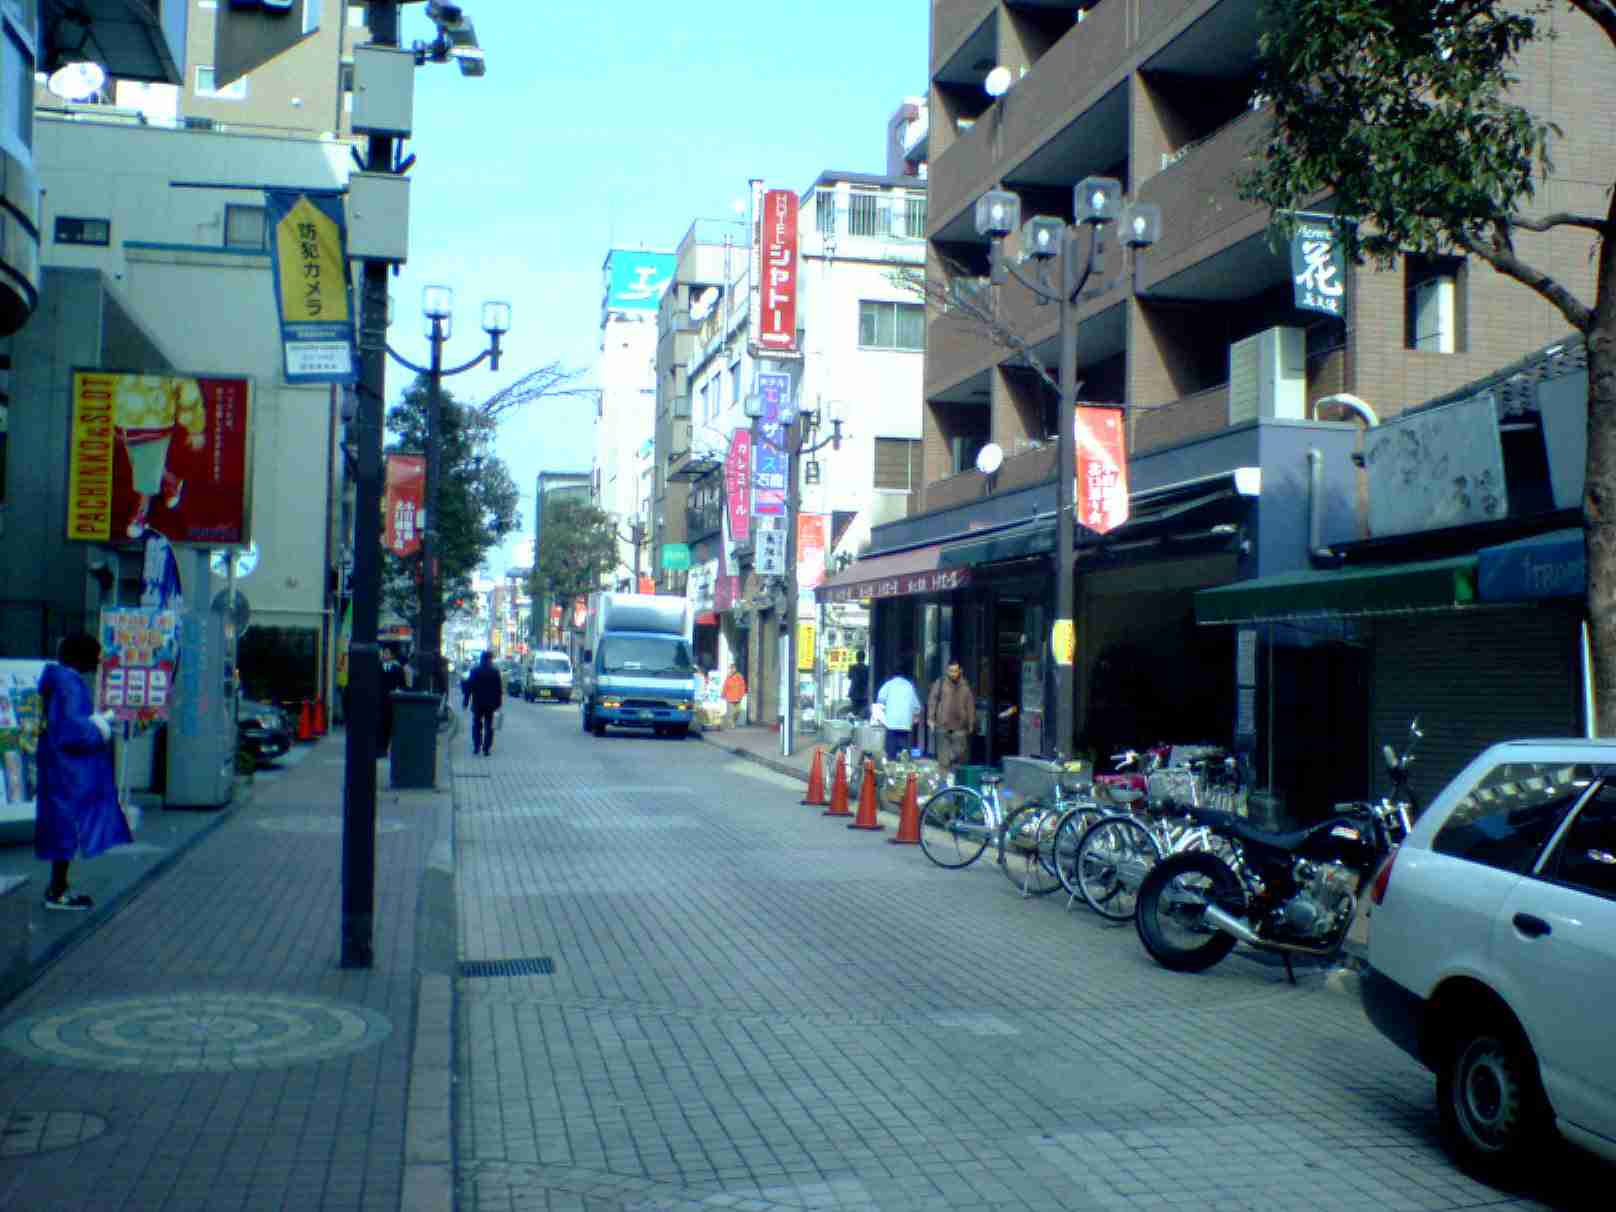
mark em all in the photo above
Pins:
pixel 1096 204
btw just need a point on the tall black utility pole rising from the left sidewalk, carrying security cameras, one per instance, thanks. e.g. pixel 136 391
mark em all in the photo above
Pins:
pixel 364 667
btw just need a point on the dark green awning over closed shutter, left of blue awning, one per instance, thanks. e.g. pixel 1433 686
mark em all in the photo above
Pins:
pixel 1344 594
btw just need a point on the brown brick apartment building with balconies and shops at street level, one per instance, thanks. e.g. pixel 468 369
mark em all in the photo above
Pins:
pixel 1237 468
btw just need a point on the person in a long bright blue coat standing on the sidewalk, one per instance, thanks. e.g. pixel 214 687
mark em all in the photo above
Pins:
pixel 78 810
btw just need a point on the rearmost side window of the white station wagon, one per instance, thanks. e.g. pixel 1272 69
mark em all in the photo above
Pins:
pixel 1512 814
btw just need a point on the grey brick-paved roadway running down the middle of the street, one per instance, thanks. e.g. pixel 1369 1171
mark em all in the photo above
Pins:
pixel 755 1008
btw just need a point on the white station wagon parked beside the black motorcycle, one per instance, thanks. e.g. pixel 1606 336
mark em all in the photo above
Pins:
pixel 1492 951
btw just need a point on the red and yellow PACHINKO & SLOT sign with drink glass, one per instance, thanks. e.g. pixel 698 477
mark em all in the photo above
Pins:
pixel 164 453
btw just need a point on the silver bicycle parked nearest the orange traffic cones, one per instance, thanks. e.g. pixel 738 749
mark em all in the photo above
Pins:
pixel 957 825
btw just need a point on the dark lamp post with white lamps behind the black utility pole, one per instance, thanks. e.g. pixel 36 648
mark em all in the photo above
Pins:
pixel 437 305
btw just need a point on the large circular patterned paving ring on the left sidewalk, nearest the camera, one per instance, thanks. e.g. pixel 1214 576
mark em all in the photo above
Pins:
pixel 196 1033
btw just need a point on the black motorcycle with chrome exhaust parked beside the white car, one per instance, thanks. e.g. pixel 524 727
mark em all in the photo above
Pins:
pixel 1294 893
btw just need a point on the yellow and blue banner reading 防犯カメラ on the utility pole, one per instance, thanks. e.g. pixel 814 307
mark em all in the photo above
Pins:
pixel 311 287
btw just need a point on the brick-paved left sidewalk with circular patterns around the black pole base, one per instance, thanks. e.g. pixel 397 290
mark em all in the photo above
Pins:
pixel 195 1043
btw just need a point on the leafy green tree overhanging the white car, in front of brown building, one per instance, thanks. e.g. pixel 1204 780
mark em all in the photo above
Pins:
pixel 1407 114
